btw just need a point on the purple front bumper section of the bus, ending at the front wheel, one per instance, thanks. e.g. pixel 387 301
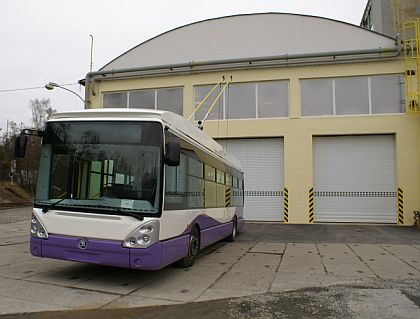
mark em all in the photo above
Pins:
pixel 111 253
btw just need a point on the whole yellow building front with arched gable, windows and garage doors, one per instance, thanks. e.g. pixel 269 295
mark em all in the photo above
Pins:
pixel 315 111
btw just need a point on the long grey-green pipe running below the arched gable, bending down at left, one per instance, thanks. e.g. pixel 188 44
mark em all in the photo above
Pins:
pixel 248 61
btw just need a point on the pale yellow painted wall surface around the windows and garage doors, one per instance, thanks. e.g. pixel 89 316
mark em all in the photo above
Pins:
pixel 297 131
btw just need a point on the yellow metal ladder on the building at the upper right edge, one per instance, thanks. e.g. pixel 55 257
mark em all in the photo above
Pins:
pixel 411 44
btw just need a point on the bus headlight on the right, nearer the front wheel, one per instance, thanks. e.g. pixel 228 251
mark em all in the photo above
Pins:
pixel 144 236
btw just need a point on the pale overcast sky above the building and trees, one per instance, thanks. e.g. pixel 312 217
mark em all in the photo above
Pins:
pixel 48 40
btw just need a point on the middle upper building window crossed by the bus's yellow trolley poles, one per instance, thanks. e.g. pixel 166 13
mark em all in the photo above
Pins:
pixel 267 99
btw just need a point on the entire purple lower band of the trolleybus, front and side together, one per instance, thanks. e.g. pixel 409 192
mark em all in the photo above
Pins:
pixel 112 253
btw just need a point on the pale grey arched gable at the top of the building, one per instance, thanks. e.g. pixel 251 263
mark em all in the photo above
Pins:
pixel 249 35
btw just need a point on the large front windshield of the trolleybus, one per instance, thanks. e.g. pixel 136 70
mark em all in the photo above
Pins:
pixel 102 166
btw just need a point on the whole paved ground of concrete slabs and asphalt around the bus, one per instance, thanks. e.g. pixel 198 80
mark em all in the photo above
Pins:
pixel 271 271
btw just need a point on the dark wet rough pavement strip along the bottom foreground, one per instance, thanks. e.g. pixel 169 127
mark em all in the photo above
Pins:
pixel 376 299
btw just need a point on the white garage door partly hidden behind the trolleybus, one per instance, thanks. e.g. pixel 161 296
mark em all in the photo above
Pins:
pixel 262 161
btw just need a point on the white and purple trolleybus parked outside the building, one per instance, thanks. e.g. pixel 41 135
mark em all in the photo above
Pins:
pixel 131 188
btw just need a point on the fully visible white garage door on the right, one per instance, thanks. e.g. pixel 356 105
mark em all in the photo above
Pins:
pixel 355 179
